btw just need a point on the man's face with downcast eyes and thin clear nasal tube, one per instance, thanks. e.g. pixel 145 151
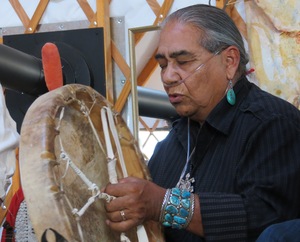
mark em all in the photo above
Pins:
pixel 179 55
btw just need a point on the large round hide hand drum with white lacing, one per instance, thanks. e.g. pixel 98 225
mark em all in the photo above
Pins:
pixel 63 152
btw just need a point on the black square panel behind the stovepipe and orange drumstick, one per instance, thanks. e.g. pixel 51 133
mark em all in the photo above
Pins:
pixel 82 57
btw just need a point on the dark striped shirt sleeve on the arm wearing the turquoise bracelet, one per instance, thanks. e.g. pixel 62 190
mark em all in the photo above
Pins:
pixel 267 186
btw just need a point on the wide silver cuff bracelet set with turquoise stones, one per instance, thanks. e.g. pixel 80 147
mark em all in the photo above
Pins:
pixel 177 208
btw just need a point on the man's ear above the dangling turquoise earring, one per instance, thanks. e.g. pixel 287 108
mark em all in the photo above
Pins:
pixel 232 60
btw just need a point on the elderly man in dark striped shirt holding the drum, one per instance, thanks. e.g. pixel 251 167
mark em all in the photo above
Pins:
pixel 230 165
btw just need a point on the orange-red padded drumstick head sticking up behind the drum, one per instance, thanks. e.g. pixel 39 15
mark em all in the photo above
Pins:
pixel 52 66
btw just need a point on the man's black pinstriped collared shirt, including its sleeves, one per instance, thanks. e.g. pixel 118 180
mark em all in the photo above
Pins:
pixel 246 165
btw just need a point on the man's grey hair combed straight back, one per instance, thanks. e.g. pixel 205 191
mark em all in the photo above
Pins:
pixel 218 31
